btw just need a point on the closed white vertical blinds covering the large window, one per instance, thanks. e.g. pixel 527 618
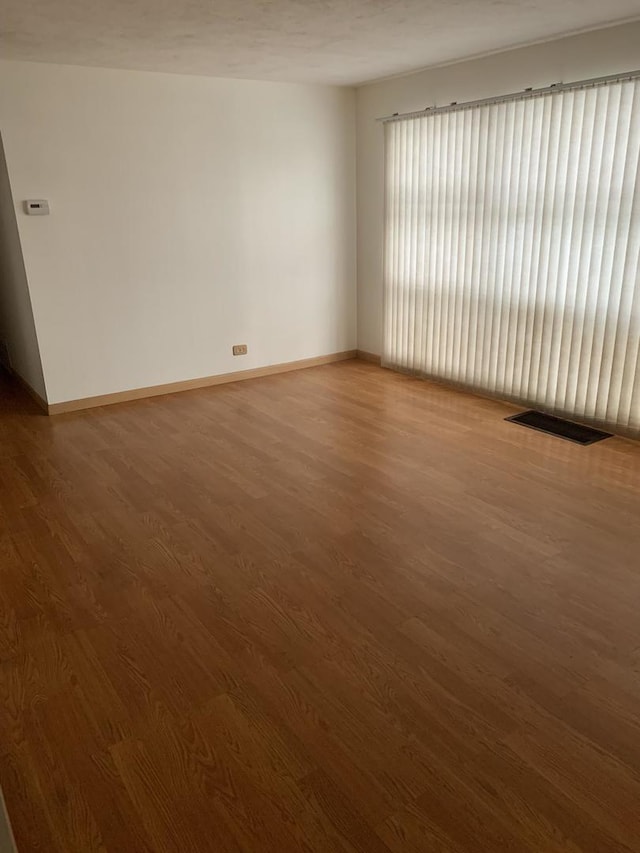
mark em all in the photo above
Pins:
pixel 512 246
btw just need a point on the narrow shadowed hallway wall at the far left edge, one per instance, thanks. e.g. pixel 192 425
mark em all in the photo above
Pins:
pixel 17 329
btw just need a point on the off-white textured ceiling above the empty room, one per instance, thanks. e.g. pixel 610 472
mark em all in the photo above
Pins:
pixel 314 41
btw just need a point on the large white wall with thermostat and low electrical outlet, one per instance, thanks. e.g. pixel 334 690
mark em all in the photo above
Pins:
pixel 187 214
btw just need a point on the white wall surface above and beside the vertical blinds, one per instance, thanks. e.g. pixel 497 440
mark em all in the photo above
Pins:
pixel 590 55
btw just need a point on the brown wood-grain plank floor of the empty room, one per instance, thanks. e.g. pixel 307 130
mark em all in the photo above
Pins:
pixel 336 610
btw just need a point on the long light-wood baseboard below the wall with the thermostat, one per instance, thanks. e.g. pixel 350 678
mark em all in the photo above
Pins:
pixel 192 384
